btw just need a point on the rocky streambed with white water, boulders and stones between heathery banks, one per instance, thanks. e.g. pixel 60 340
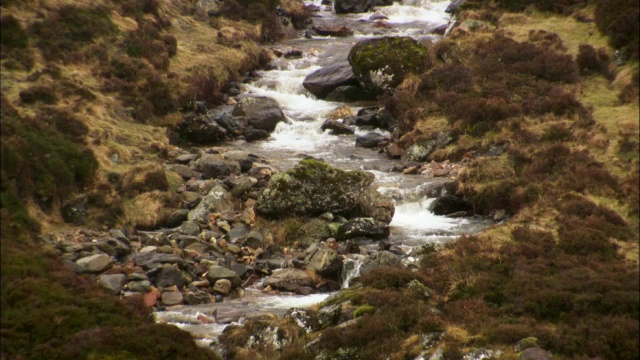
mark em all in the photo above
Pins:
pixel 293 189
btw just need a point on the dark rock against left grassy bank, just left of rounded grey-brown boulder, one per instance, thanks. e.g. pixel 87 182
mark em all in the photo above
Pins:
pixel 201 129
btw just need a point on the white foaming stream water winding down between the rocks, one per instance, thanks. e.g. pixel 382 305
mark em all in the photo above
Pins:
pixel 413 225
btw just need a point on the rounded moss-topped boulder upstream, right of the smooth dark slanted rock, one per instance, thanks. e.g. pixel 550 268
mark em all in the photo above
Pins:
pixel 381 64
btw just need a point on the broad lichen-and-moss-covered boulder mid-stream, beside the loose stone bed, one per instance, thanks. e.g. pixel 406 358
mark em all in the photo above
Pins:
pixel 303 190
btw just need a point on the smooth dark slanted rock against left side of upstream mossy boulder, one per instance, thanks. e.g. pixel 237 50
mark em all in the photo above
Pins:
pixel 321 82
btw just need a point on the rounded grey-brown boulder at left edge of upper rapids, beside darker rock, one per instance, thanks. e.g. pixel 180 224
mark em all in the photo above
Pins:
pixel 262 113
